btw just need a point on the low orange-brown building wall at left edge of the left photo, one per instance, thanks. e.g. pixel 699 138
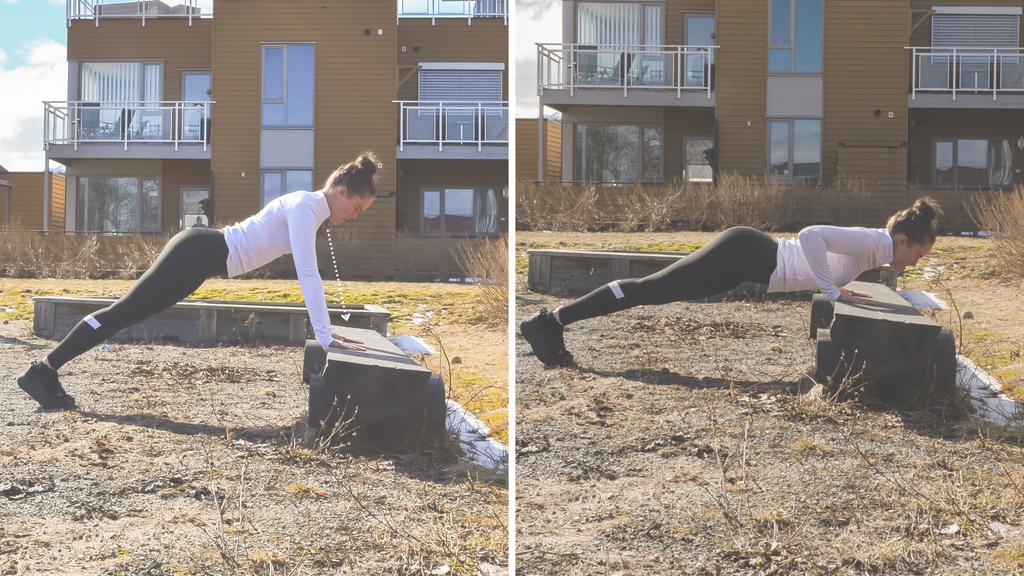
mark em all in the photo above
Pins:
pixel 27 201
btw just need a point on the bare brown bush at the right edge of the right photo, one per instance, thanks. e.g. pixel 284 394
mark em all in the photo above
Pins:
pixel 1001 217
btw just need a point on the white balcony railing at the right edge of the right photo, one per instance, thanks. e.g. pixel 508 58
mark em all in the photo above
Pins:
pixel 967 70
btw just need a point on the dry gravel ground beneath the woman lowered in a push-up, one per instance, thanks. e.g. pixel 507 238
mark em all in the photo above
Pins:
pixel 687 440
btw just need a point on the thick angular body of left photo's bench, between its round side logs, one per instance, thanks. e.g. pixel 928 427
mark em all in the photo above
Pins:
pixel 378 384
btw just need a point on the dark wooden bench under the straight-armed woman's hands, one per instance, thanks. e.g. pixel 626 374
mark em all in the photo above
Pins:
pixel 382 389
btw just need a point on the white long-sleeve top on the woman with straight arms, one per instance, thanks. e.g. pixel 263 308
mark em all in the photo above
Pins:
pixel 287 225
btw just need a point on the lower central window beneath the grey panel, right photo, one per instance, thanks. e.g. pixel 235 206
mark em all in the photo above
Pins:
pixel 795 151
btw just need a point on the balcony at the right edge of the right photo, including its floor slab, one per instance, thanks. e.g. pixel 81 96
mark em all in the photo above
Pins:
pixel 967 77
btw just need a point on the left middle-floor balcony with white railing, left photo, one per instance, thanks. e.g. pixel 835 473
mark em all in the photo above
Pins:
pixel 158 130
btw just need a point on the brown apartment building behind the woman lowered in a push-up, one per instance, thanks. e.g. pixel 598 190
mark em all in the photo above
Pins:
pixel 910 97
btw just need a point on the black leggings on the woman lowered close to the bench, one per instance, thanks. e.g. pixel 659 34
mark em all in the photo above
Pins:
pixel 738 256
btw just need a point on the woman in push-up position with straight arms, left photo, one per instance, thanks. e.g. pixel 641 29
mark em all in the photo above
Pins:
pixel 287 225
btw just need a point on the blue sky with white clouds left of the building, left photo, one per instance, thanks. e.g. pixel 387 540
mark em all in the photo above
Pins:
pixel 33 69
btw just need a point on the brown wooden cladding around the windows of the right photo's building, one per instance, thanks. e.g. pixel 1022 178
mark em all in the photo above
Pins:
pixel 872 132
